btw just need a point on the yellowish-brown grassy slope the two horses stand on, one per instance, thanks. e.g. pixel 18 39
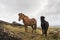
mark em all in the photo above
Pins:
pixel 10 32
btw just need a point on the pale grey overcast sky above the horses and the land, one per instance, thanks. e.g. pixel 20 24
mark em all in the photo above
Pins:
pixel 9 10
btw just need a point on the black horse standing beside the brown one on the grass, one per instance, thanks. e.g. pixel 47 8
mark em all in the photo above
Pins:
pixel 44 25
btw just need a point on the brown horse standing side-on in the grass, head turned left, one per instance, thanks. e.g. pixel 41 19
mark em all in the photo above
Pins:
pixel 28 22
